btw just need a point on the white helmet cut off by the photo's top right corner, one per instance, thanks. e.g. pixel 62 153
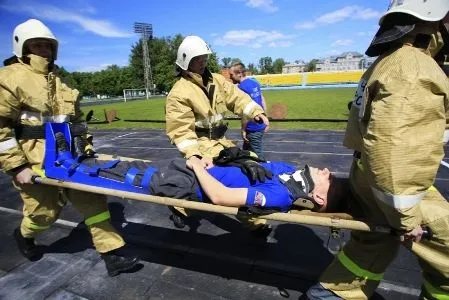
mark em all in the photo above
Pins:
pixel 426 10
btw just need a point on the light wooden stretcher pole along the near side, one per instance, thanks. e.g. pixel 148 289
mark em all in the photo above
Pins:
pixel 334 222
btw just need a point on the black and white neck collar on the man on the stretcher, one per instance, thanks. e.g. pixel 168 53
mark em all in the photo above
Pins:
pixel 300 184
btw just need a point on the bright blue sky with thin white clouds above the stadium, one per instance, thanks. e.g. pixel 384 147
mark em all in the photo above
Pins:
pixel 93 34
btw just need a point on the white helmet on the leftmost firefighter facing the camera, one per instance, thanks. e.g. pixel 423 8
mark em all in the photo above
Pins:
pixel 32 29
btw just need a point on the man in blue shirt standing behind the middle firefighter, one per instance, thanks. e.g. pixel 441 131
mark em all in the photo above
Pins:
pixel 252 132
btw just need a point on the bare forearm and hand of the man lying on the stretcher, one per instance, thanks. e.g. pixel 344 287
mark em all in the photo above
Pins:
pixel 215 190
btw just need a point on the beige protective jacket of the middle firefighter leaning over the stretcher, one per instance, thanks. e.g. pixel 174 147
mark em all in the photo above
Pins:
pixel 192 104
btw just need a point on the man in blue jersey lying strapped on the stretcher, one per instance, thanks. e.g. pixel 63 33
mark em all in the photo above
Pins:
pixel 236 180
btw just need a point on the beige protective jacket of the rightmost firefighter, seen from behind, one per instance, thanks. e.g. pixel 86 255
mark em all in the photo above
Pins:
pixel 397 123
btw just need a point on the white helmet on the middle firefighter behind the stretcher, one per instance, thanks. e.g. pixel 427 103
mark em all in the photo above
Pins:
pixel 191 47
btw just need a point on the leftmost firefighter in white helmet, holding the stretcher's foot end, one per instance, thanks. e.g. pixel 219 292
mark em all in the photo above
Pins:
pixel 31 93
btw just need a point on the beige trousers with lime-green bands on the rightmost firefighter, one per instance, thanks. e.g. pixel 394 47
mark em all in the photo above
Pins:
pixel 358 269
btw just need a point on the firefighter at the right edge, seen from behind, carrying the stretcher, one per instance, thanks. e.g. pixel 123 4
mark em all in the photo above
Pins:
pixel 396 128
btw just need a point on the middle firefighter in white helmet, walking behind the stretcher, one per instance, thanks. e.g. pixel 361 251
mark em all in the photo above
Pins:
pixel 195 110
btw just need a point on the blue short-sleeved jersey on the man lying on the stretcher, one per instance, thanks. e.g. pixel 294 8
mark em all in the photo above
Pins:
pixel 269 194
